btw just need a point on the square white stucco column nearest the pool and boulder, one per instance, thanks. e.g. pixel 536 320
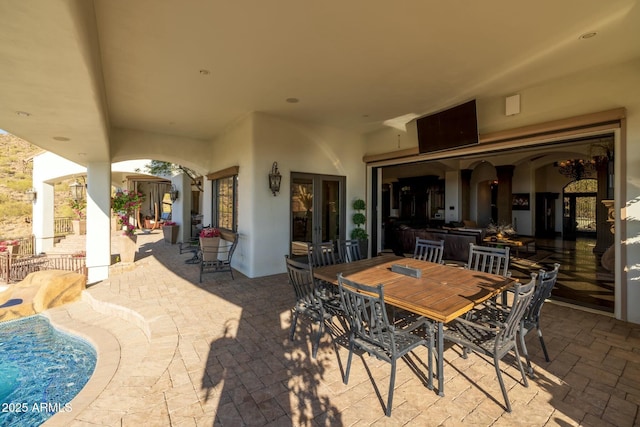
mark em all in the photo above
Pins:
pixel 98 220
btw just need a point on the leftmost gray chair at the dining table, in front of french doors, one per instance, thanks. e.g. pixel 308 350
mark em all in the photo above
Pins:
pixel 308 299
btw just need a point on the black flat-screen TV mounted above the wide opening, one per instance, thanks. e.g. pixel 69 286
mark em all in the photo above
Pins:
pixel 451 128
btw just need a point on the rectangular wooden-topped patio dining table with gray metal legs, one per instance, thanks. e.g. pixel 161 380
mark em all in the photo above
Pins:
pixel 441 293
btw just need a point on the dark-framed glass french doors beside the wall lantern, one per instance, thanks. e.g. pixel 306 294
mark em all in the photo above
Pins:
pixel 317 210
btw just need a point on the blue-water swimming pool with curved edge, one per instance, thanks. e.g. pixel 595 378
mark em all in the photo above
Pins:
pixel 41 370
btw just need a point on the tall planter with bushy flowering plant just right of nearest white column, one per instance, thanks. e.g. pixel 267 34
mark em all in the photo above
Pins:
pixel 125 204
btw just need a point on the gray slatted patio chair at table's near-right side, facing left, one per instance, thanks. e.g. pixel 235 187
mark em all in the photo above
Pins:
pixel 495 338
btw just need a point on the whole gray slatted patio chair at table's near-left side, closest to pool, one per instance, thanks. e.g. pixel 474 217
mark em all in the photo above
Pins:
pixel 370 330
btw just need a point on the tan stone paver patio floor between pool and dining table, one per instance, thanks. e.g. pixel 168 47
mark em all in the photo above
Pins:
pixel 174 352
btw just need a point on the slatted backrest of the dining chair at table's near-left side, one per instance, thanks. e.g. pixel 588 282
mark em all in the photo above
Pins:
pixel 367 315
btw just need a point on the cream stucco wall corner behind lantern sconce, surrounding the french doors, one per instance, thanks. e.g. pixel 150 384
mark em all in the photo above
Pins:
pixel 263 220
